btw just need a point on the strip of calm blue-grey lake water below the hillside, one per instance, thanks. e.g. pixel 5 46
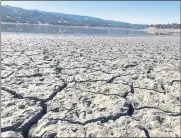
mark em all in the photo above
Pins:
pixel 28 28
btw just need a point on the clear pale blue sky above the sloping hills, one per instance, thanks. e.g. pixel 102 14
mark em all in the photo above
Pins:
pixel 139 12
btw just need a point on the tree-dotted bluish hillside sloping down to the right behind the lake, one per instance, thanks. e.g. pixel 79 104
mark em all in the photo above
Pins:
pixel 20 15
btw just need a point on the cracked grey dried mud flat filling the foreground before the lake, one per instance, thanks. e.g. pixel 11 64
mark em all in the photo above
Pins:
pixel 80 86
